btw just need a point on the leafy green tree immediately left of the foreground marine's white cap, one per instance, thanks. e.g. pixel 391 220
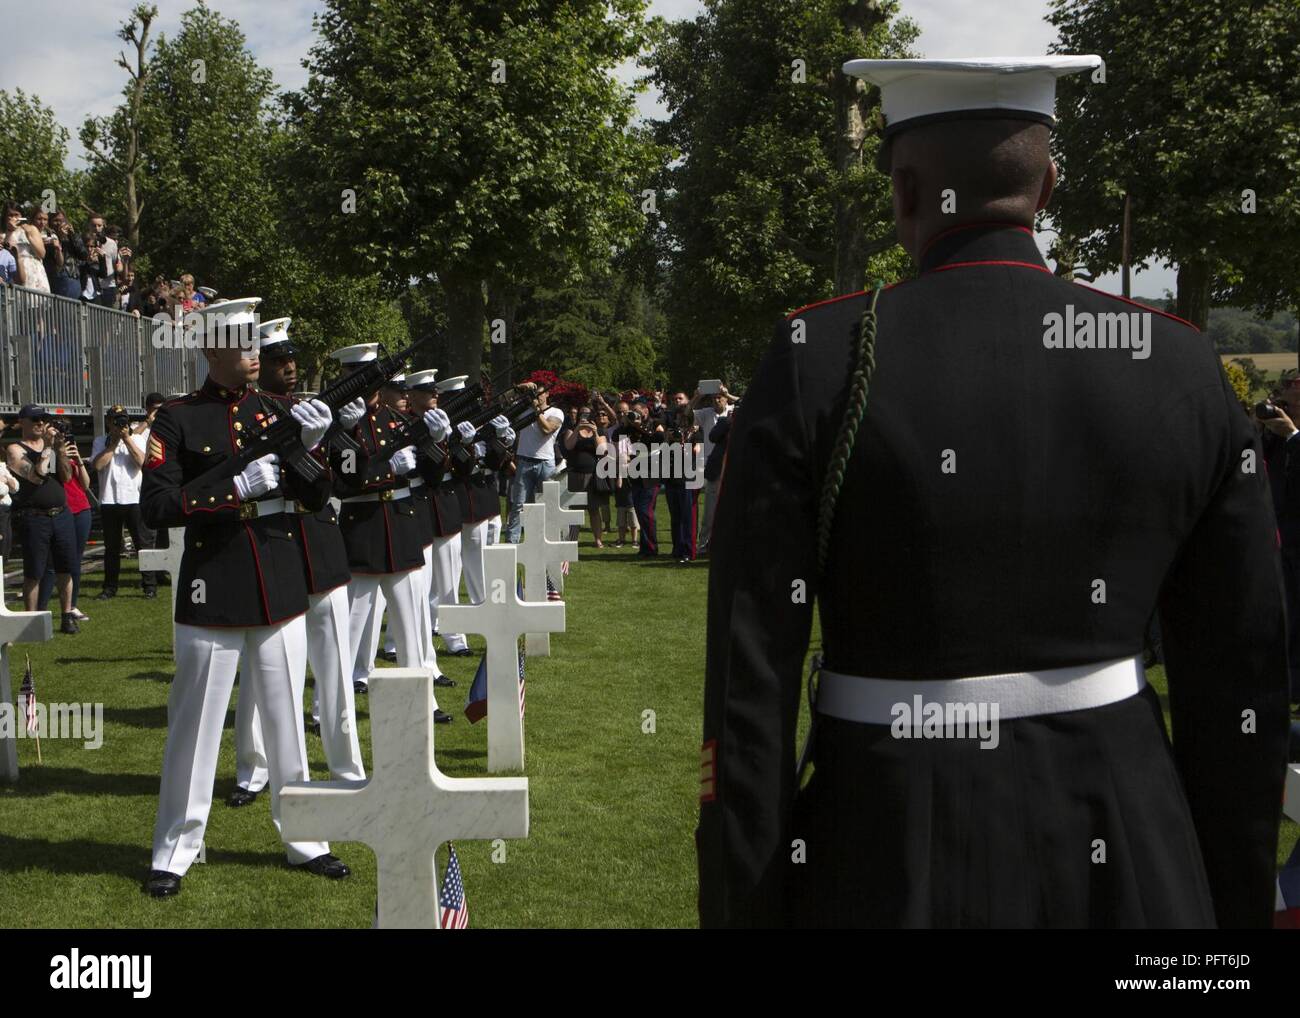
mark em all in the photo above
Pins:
pixel 775 201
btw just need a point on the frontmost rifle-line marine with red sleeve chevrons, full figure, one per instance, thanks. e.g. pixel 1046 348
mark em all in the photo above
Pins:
pixel 244 588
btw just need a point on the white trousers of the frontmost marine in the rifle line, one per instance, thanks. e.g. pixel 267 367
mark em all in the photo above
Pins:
pixel 206 664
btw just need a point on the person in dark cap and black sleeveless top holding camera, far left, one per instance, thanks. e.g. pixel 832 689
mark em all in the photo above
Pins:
pixel 41 510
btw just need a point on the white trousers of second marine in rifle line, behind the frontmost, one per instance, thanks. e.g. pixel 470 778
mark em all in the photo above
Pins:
pixel 331 659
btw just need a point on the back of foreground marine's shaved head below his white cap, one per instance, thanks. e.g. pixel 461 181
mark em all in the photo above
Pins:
pixel 969 171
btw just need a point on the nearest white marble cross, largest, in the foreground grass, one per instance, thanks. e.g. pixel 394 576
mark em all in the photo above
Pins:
pixel 408 808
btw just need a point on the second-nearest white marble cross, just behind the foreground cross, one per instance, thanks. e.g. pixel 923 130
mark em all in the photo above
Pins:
pixel 504 618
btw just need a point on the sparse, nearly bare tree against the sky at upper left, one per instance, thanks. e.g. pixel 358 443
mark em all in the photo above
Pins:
pixel 114 144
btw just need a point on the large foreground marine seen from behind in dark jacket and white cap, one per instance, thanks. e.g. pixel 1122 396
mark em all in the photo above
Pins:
pixel 1004 547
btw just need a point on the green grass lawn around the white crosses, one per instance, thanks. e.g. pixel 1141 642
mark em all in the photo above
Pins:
pixel 613 808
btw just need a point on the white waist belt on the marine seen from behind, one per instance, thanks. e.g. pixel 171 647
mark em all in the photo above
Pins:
pixel 1017 695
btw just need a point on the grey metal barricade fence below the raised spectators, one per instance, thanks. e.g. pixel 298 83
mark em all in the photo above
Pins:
pixel 77 358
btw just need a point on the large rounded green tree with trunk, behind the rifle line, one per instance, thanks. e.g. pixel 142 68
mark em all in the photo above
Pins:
pixel 479 144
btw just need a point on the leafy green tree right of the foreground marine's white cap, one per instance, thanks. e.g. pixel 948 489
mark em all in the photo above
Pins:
pixel 1197 109
